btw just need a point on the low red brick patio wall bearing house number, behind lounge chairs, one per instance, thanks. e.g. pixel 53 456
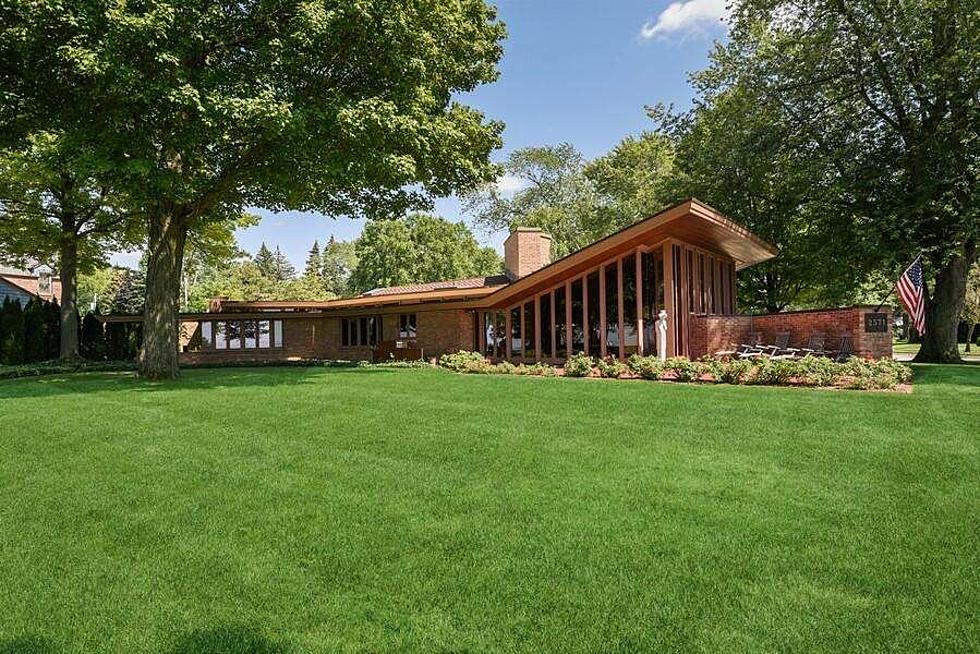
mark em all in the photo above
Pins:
pixel 713 333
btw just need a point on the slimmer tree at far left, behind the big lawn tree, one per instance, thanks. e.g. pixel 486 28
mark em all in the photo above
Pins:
pixel 57 204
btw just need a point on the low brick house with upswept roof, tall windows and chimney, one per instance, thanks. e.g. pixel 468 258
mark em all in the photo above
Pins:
pixel 602 300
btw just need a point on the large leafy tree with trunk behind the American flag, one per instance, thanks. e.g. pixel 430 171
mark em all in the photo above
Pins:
pixel 887 95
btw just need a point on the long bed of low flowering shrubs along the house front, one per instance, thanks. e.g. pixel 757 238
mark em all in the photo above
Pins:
pixel 865 374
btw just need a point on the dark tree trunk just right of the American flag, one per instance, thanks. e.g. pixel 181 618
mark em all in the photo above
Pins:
pixel 943 310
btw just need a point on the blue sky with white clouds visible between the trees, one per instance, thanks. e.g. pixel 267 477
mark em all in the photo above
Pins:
pixel 579 71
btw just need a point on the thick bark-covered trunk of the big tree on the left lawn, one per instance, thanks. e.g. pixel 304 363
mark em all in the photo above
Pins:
pixel 165 256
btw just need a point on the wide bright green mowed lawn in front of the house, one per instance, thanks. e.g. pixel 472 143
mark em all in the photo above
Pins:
pixel 373 510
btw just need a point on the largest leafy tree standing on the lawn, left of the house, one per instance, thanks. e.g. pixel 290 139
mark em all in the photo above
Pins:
pixel 342 107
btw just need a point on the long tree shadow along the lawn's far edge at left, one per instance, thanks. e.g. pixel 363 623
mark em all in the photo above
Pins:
pixel 191 380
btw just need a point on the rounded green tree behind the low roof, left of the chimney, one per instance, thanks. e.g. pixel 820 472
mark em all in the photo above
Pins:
pixel 419 248
